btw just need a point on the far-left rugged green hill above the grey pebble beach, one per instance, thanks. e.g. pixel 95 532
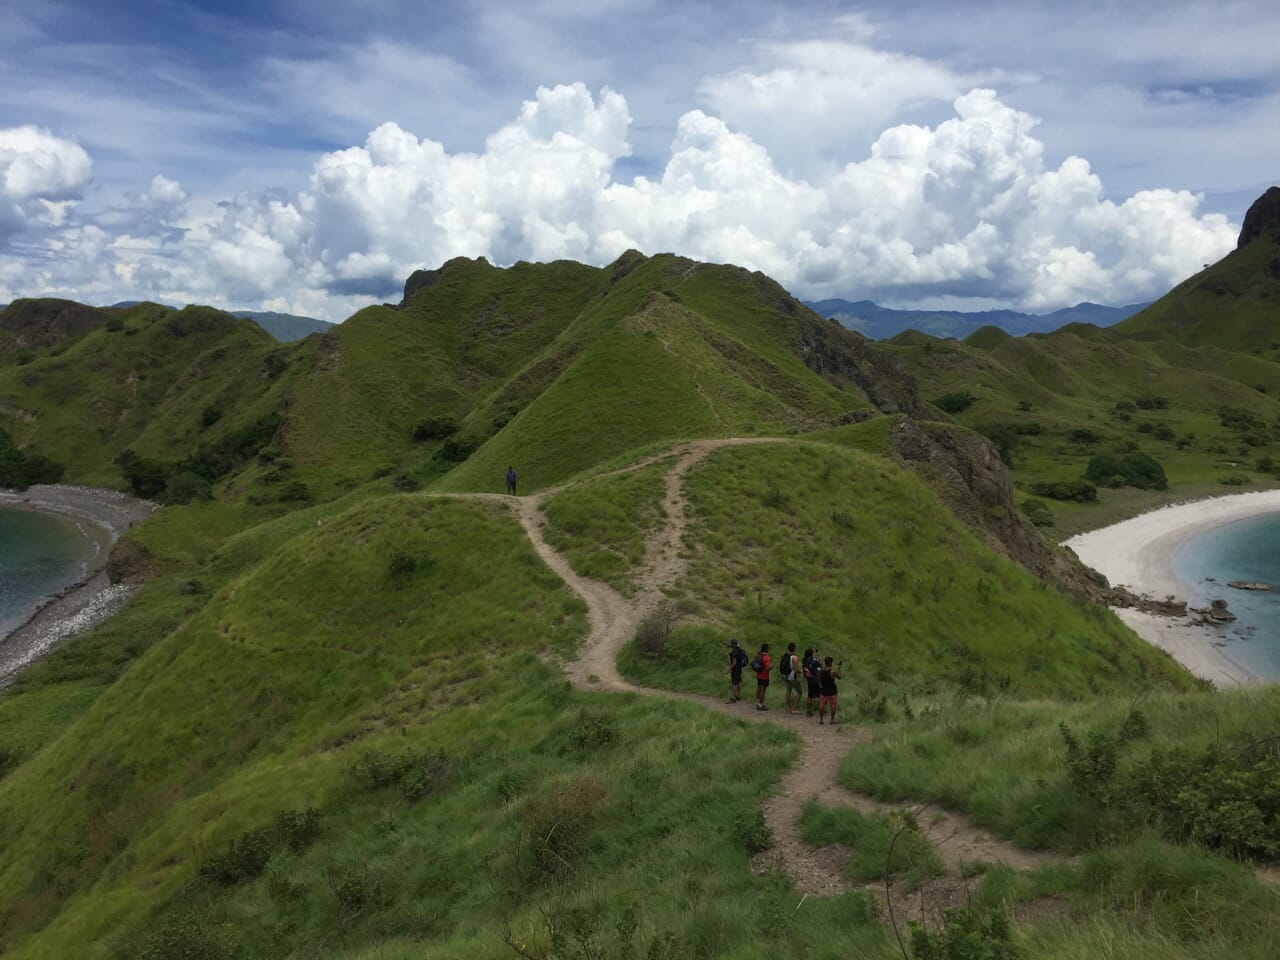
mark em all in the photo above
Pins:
pixel 145 381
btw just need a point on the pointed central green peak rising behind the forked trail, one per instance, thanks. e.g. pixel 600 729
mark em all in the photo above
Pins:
pixel 674 350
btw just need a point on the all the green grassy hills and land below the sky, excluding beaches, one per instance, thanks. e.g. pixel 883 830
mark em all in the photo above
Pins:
pixel 362 705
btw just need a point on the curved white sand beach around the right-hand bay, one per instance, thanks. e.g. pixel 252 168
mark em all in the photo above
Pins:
pixel 1137 554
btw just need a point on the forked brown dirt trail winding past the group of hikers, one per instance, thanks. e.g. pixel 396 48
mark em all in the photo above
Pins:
pixel 614 620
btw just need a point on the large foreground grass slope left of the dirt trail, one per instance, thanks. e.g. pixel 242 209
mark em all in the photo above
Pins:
pixel 460 787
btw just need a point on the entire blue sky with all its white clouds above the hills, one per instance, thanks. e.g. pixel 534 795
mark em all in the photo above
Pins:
pixel 308 157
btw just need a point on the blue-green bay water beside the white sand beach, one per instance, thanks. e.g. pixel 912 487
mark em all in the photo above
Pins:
pixel 1247 550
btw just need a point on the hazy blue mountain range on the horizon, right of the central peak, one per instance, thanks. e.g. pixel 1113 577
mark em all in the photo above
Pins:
pixel 881 323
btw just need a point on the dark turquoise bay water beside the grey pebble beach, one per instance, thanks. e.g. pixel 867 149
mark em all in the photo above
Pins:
pixel 40 554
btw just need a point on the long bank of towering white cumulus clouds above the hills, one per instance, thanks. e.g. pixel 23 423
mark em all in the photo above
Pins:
pixel 966 208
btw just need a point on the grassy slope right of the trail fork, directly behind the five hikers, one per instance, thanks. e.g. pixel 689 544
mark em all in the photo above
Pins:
pixel 831 547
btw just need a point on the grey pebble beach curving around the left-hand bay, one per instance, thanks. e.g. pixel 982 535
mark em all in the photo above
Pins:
pixel 104 516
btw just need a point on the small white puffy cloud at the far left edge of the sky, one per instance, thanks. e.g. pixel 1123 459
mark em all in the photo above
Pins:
pixel 40 177
